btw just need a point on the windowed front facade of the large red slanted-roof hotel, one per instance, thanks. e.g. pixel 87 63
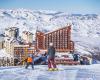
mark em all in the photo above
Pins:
pixel 60 39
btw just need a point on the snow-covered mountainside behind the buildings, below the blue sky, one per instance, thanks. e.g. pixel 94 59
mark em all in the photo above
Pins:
pixel 85 27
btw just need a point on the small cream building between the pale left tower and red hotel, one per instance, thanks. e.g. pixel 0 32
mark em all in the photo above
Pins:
pixel 27 37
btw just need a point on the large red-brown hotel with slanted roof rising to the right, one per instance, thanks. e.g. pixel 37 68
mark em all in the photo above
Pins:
pixel 61 39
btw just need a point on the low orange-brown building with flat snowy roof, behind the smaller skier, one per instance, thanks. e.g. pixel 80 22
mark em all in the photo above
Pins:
pixel 22 51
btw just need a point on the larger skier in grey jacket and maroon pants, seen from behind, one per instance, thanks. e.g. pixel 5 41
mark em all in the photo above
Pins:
pixel 51 58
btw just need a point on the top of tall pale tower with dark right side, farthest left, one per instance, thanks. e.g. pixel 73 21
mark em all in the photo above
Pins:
pixel 12 32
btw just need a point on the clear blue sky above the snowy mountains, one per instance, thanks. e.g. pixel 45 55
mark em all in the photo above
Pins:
pixel 70 6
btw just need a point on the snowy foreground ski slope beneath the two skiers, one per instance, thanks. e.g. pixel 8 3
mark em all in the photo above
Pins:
pixel 86 72
